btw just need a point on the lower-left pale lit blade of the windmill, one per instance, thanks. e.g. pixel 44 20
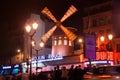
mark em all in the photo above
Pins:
pixel 47 35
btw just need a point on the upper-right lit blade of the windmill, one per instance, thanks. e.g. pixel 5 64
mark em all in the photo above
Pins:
pixel 69 12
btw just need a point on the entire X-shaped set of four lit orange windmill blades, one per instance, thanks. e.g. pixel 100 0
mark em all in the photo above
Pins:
pixel 67 32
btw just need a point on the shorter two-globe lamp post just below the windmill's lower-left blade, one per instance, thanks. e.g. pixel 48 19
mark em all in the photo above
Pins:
pixel 41 45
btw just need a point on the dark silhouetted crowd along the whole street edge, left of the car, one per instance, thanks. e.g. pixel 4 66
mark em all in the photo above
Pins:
pixel 74 73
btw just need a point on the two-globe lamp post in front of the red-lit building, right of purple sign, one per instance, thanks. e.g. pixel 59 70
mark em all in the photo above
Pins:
pixel 110 37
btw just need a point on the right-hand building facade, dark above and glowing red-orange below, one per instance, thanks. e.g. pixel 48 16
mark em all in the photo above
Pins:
pixel 99 20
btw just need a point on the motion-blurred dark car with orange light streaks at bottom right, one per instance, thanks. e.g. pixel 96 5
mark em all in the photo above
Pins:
pixel 103 73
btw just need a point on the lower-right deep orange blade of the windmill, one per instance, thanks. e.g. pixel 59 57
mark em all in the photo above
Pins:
pixel 71 36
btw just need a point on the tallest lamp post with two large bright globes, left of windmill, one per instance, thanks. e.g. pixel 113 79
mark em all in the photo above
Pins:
pixel 31 30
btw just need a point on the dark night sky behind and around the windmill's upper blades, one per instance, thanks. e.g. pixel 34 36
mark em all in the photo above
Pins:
pixel 14 13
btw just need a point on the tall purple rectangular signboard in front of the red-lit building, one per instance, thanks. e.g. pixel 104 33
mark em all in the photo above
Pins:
pixel 90 46
